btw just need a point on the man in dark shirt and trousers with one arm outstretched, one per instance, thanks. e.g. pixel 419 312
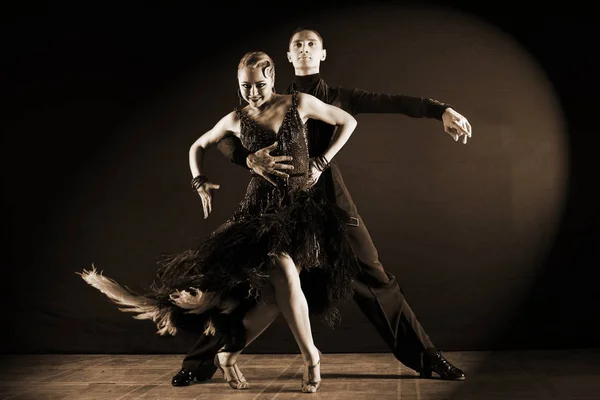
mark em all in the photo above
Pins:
pixel 377 293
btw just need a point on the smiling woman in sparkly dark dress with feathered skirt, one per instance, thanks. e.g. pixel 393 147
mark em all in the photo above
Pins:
pixel 282 230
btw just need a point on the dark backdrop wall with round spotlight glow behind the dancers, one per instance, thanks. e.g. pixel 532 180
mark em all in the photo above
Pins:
pixel 495 243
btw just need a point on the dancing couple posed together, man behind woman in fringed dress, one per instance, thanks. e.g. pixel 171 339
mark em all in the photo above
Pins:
pixel 296 243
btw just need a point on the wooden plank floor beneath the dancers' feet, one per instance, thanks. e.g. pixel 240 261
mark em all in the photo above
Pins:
pixel 527 375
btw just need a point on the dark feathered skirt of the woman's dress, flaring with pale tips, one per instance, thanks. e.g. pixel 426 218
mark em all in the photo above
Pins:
pixel 232 267
